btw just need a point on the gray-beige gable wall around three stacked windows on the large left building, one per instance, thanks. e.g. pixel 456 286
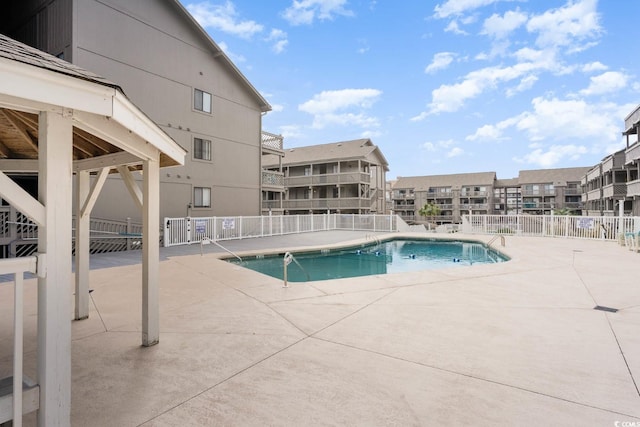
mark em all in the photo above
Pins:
pixel 168 59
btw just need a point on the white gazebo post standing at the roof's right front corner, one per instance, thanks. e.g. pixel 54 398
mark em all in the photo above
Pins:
pixel 150 252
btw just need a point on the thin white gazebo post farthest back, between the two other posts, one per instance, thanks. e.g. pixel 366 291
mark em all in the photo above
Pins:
pixel 82 247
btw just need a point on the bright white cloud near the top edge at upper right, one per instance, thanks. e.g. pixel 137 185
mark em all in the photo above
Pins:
pixel 575 22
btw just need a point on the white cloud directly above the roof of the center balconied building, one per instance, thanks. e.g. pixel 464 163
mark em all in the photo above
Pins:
pixel 342 107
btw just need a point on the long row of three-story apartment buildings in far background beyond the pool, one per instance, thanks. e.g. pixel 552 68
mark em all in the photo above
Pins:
pixel 536 192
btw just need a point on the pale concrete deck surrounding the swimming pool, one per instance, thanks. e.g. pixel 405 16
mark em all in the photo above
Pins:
pixel 515 343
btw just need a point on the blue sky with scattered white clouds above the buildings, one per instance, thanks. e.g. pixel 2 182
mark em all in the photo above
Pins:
pixel 445 86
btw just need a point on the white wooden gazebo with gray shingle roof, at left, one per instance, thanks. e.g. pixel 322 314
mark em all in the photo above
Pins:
pixel 60 122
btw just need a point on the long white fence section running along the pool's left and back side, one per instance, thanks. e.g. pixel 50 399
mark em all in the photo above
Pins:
pixel 184 231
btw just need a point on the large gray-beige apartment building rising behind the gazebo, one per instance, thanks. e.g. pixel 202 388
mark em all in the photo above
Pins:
pixel 169 67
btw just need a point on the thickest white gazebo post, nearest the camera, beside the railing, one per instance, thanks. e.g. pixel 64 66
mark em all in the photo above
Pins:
pixel 54 240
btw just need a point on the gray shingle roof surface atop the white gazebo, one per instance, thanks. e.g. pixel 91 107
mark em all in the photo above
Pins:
pixel 20 52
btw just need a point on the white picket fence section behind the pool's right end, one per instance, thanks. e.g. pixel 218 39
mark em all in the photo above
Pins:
pixel 581 227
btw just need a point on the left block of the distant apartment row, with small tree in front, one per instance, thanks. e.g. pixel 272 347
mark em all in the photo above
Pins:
pixel 454 194
